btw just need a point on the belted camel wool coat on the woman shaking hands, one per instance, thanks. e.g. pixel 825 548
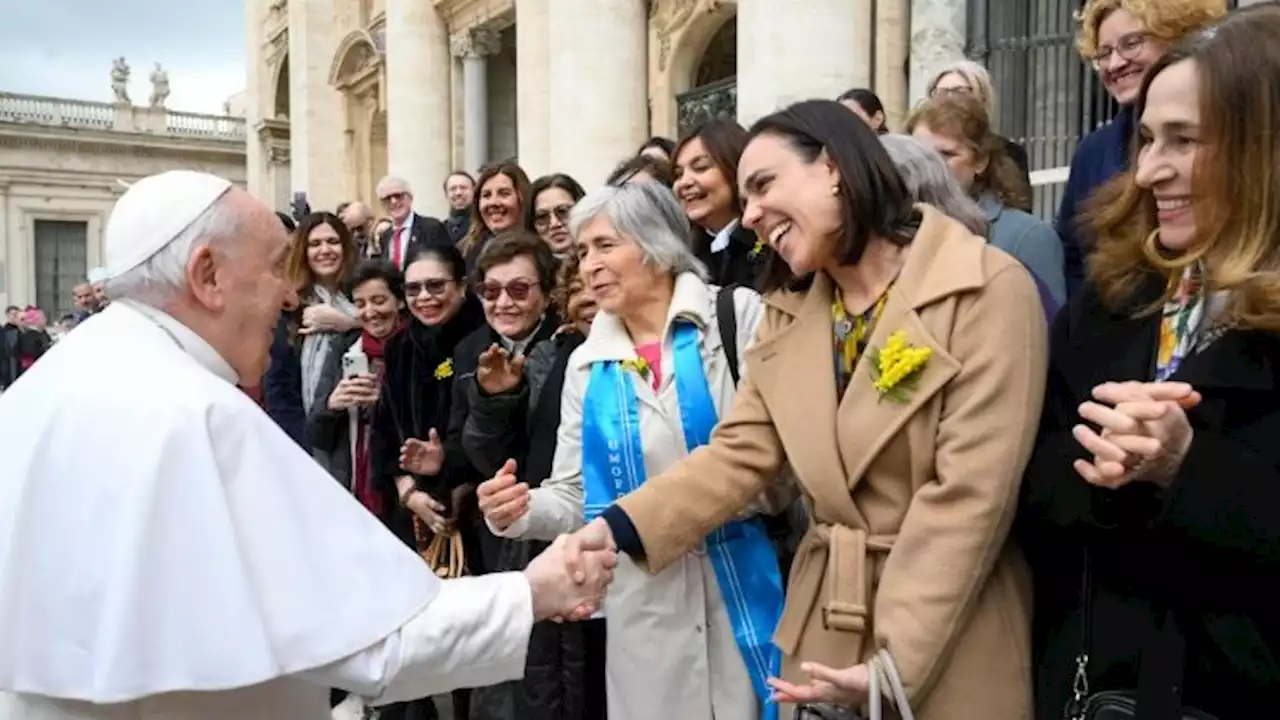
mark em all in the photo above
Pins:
pixel 912 503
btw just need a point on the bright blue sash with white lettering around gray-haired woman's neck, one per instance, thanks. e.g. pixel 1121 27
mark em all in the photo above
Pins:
pixel 747 568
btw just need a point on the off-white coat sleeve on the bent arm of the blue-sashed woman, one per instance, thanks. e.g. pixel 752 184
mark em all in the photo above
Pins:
pixel 556 508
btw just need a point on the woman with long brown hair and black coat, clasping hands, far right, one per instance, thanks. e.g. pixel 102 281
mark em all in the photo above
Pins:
pixel 1151 508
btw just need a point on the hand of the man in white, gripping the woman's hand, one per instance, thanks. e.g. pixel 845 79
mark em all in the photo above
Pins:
pixel 557 594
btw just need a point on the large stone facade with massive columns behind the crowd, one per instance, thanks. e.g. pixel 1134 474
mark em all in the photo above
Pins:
pixel 420 88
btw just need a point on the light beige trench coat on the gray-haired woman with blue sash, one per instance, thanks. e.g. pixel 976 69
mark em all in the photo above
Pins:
pixel 671 651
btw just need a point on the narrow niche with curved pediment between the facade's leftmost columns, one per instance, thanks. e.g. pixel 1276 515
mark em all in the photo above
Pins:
pixel 358 74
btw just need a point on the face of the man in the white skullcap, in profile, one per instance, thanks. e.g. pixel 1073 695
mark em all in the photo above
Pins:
pixel 253 289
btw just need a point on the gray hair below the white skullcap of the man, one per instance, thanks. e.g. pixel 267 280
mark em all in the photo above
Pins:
pixel 164 275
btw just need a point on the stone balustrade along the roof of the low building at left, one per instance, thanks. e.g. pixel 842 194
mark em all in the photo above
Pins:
pixel 66 113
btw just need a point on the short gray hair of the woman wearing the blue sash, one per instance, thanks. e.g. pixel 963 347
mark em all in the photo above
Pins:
pixel 648 215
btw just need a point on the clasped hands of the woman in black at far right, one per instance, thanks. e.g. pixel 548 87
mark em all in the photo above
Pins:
pixel 1145 432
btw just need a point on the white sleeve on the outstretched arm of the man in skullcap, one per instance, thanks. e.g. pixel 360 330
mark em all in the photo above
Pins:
pixel 476 634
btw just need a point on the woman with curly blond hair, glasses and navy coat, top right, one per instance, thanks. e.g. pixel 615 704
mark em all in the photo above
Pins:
pixel 1121 39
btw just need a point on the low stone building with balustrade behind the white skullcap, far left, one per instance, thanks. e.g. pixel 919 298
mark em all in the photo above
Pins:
pixel 66 162
